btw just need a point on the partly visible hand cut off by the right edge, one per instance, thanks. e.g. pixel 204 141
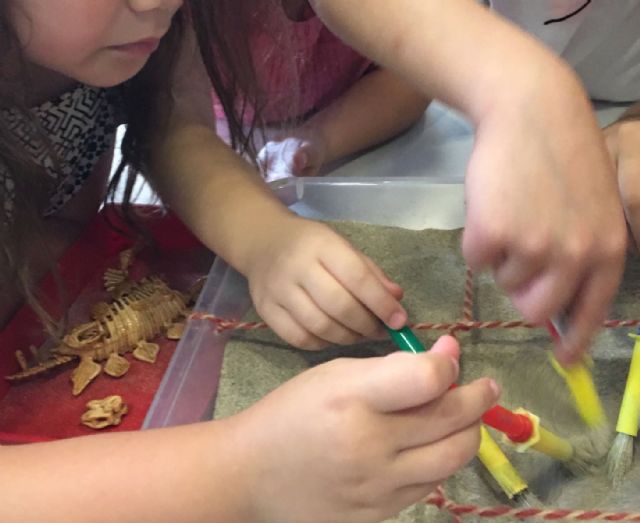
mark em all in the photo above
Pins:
pixel 623 141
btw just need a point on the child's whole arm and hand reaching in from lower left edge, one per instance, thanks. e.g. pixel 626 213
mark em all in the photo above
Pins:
pixel 308 451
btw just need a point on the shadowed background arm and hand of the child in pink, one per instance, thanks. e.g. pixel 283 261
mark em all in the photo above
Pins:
pixel 376 108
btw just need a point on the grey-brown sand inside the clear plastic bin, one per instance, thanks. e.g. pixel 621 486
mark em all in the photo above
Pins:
pixel 429 266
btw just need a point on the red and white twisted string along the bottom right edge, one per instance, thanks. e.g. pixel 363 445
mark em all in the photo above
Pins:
pixel 439 499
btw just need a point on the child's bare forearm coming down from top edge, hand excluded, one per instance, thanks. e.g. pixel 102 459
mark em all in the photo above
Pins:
pixel 456 51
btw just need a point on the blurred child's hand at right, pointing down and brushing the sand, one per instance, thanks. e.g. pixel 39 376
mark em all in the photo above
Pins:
pixel 543 211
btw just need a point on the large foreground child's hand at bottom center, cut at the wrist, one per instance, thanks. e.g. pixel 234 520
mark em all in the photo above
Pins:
pixel 359 440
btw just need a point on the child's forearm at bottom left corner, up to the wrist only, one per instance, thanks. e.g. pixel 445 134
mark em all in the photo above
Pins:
pixel 187 474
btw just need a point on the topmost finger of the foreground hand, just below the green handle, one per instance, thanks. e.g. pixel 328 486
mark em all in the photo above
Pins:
pixel 402 381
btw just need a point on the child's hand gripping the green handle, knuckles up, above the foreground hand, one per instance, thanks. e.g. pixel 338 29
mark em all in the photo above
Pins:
pixel 314 289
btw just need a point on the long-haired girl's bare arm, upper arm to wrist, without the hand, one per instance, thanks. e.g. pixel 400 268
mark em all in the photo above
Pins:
pixel 217 194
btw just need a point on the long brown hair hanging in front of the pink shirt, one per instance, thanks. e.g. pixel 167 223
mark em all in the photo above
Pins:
pixel 225 29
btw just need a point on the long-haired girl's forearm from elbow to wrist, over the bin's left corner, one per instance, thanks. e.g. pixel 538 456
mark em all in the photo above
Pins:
pixel 217 194
